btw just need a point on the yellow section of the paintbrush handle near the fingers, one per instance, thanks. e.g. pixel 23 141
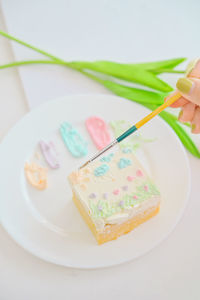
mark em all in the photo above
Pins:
pixel 158 110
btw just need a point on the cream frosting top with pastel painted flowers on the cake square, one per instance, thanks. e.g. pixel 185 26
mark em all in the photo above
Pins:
pixel 114 190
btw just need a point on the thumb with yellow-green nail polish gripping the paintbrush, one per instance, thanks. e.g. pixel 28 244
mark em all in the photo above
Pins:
pixel 189 89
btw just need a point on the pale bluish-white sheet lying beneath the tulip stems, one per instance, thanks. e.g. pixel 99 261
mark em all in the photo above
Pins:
pixel 127 31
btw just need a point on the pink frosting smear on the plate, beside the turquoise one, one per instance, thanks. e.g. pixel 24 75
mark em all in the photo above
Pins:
pixel 98 131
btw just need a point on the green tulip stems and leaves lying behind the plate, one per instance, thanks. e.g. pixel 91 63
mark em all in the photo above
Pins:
pixel 142 73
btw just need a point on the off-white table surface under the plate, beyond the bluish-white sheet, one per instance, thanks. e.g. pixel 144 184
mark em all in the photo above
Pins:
pixel 170 271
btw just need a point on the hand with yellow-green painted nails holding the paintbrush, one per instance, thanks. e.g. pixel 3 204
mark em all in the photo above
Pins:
pixel 189 87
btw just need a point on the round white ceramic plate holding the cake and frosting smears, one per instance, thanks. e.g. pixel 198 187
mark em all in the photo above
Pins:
pixel 46 223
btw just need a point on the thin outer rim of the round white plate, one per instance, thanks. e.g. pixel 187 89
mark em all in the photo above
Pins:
pixel 122 261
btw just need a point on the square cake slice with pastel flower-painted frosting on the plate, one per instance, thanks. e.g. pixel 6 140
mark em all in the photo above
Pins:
pixel 114 194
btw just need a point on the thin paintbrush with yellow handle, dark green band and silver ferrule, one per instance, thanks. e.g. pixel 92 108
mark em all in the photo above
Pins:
pixel 135 127
